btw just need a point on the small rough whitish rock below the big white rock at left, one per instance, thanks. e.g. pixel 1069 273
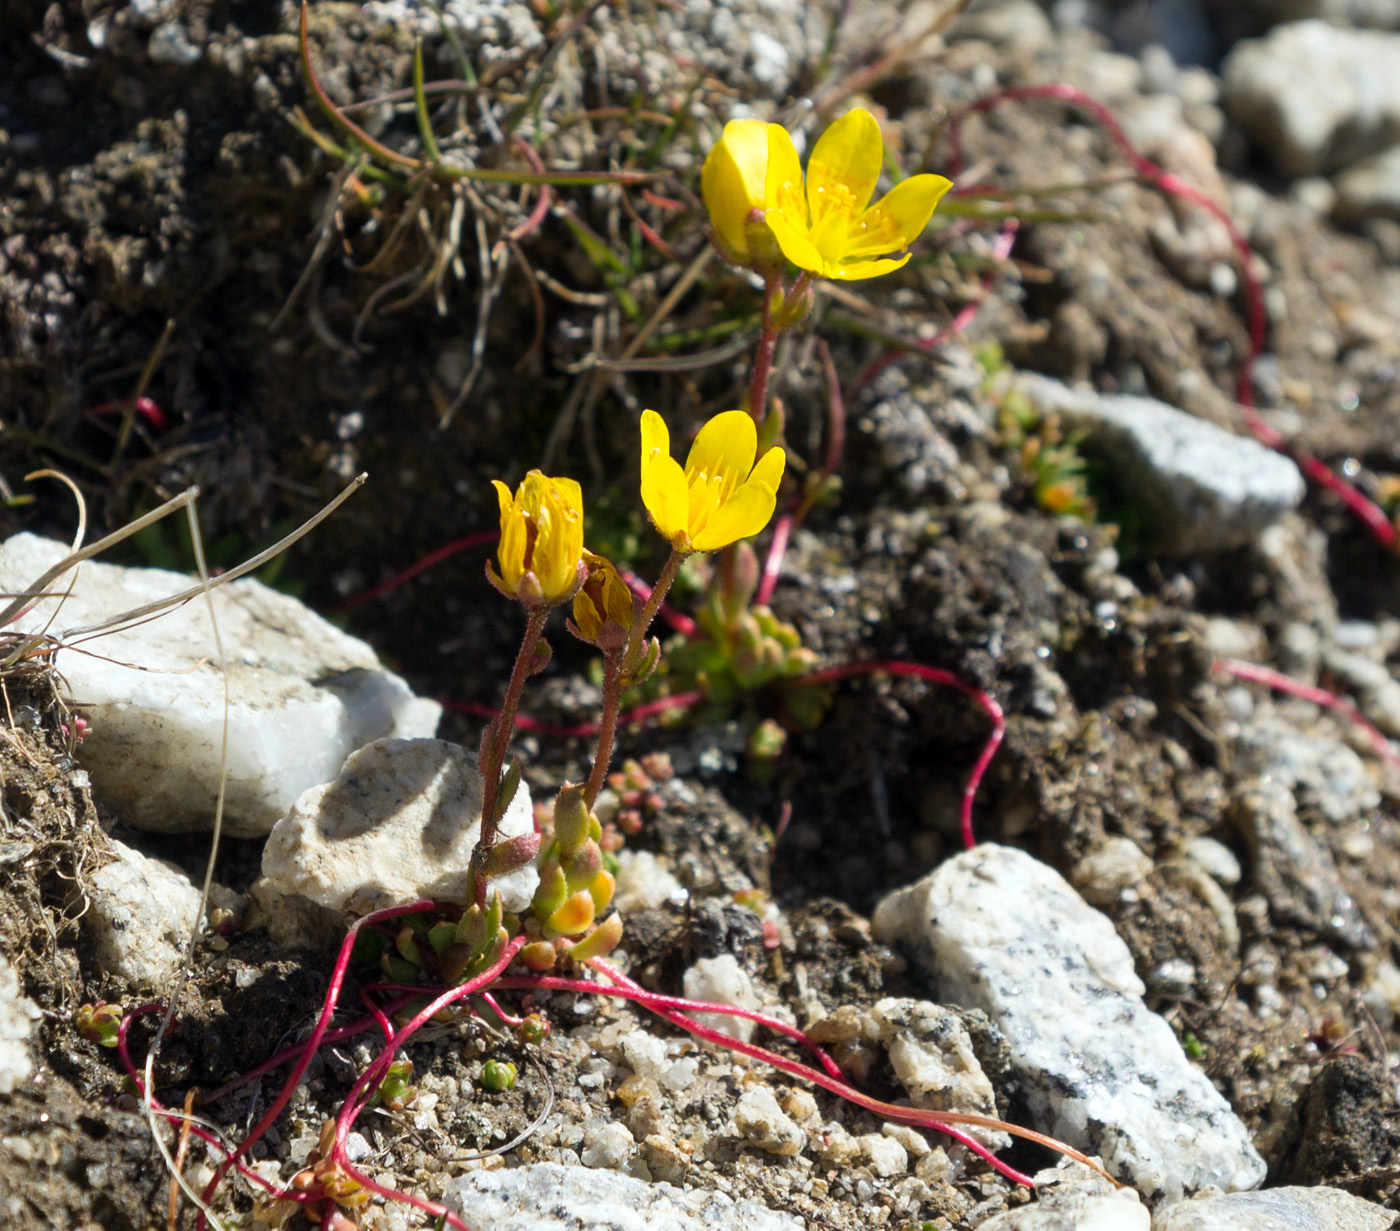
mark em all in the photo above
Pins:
pixel 141 915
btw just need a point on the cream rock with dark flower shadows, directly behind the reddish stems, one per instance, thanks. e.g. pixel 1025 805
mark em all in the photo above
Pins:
pixel 397 826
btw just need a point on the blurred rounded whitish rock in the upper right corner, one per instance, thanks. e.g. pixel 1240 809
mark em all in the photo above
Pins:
pixel 1315 97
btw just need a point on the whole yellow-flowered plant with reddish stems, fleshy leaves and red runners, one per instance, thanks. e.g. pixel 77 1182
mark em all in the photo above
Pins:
pixel 439 956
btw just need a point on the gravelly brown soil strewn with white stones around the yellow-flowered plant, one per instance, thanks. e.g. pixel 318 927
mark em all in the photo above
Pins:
pixel 1177 947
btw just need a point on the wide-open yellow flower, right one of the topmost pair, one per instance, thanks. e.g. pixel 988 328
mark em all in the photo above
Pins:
pixel 827 226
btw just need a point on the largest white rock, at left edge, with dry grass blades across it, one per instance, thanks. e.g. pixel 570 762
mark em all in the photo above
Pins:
pixel 303 694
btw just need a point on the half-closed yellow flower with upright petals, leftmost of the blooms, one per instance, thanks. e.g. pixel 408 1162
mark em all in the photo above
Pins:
pixel 542 540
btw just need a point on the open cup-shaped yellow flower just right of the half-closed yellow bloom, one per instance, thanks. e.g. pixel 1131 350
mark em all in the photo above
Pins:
pixel 720 496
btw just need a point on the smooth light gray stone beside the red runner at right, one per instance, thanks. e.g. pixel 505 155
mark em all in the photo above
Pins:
pixel 1202 489
